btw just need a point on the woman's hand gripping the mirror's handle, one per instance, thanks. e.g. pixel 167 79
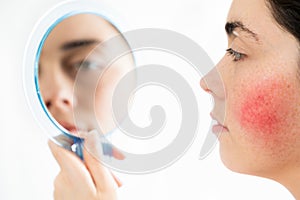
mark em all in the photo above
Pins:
pixel 78 180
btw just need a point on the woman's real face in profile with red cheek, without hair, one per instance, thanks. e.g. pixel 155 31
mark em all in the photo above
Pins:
pixel 256 88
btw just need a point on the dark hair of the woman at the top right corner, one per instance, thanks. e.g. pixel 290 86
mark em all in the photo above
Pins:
pixel 287 15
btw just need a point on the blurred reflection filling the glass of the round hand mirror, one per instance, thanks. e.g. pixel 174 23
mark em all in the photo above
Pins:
pixel 81 103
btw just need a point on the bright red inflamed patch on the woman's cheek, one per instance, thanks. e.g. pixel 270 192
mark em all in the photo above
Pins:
pixel 264 108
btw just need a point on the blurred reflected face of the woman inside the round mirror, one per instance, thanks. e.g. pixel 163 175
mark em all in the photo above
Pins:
pixel 64 53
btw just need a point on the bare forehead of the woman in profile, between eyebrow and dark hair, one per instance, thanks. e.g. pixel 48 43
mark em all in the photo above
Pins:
pixel 256 16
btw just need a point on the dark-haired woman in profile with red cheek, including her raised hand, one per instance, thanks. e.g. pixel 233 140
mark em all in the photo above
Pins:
pixel 259 92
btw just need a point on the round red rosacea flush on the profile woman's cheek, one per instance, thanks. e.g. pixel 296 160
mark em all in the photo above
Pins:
pixel 266 107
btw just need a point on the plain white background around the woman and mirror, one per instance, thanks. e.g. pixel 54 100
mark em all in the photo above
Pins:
pixel 27 168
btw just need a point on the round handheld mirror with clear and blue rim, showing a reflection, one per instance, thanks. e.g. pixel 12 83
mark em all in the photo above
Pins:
pixel 71 73
